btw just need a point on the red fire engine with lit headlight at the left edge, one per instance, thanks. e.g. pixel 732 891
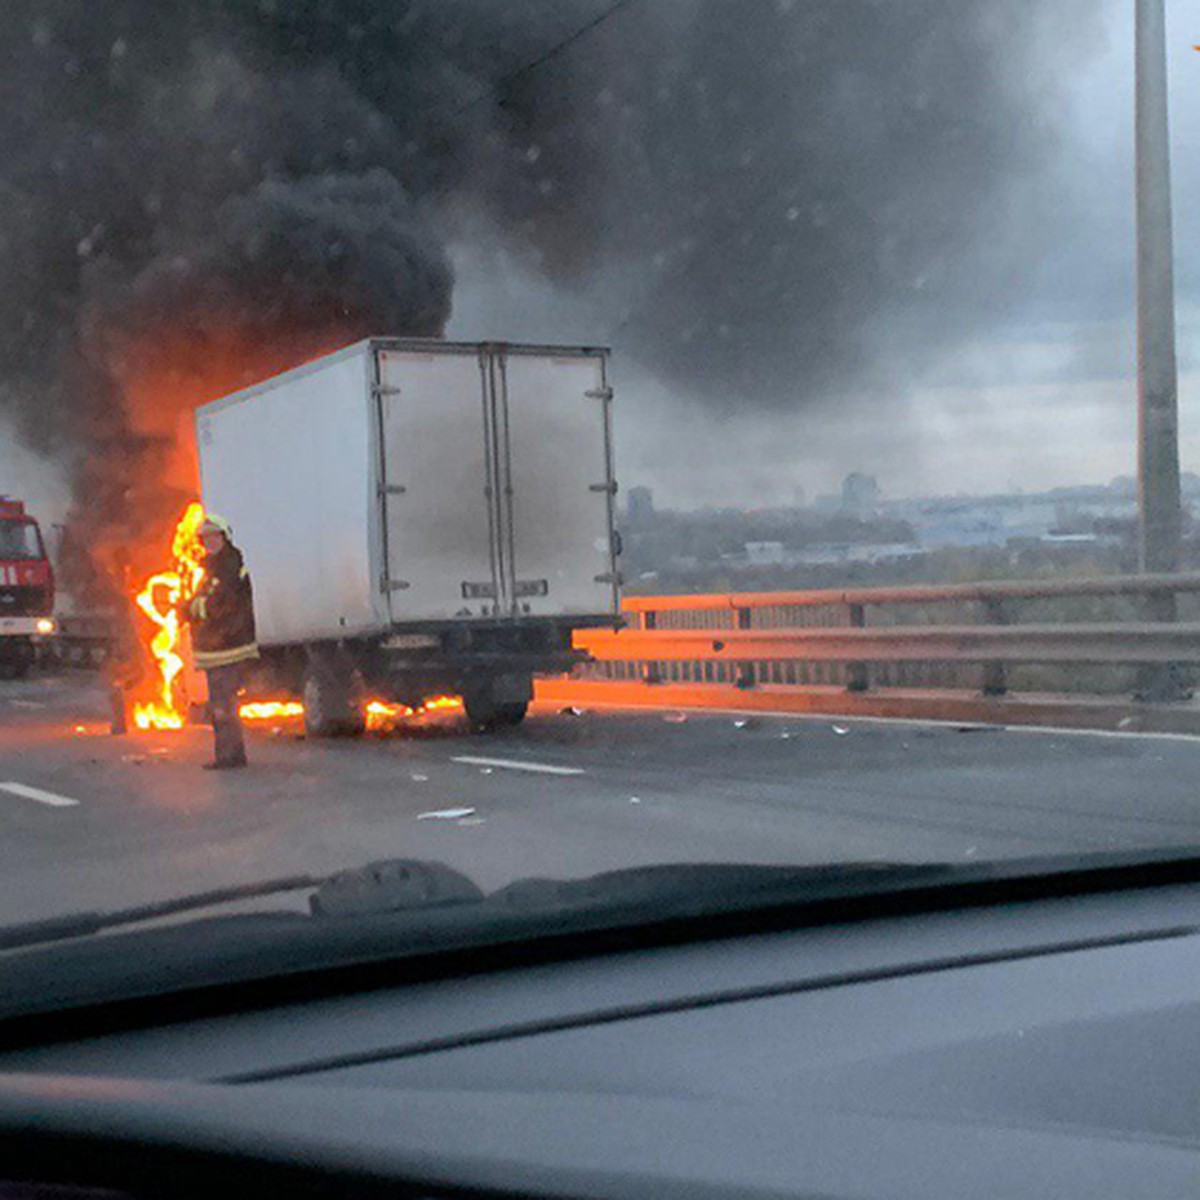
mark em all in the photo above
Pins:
pixel 27 590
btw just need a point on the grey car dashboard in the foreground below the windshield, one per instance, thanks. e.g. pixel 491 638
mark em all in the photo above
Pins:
pixel 1028 1049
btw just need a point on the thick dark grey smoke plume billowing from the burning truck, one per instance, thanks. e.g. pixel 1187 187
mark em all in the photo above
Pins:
pixel 785 201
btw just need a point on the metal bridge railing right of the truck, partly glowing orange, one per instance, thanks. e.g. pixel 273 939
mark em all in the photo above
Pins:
pixel 928 637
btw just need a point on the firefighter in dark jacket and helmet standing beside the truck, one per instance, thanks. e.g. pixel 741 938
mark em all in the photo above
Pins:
pixel 223 619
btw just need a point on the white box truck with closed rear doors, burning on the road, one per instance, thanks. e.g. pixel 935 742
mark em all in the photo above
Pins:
pixel 421 518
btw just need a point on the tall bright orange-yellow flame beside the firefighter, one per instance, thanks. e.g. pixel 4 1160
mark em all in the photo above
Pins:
pixel 159 599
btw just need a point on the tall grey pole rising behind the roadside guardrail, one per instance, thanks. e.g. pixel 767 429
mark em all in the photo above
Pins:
pixel 1159 445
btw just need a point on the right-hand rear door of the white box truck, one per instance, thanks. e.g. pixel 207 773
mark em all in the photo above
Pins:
pixel 556 465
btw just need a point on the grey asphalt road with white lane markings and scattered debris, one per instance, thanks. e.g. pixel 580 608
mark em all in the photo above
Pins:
pixel 93 821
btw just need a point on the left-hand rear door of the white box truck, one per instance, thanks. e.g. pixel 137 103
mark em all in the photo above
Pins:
pixel 436 485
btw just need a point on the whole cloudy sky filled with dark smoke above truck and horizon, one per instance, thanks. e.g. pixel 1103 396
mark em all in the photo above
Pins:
pixel 821 235
